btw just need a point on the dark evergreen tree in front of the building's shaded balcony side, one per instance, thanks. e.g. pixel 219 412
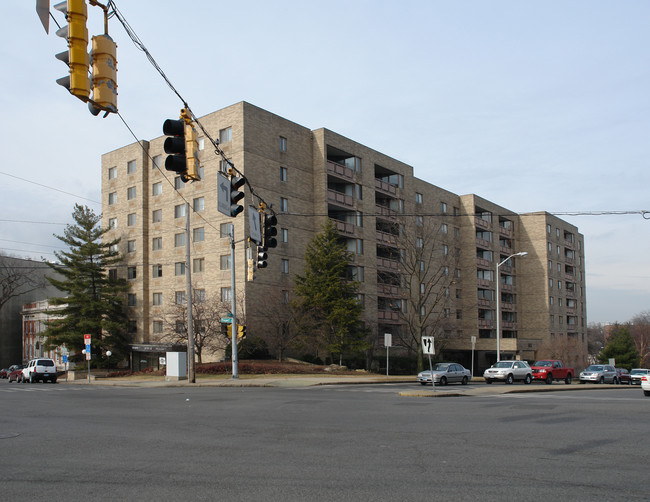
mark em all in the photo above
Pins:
pixel 328 297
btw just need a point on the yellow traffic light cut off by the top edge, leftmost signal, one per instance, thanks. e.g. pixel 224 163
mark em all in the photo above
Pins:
pixel 76 57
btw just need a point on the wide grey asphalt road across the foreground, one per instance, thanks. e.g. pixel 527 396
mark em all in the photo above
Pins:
pixel 352 442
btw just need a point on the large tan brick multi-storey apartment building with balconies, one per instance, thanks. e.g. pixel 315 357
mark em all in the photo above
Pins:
pixel 384 214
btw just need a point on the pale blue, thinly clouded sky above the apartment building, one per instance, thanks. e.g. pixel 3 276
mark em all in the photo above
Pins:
pixel 534 105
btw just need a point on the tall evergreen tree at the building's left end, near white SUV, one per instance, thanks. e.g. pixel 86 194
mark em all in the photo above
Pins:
pixel 95 299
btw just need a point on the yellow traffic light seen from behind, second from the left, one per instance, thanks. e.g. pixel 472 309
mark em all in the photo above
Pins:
pixel 104 77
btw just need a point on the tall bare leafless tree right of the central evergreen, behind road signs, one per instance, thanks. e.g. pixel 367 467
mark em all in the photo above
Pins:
pixel 426 265
